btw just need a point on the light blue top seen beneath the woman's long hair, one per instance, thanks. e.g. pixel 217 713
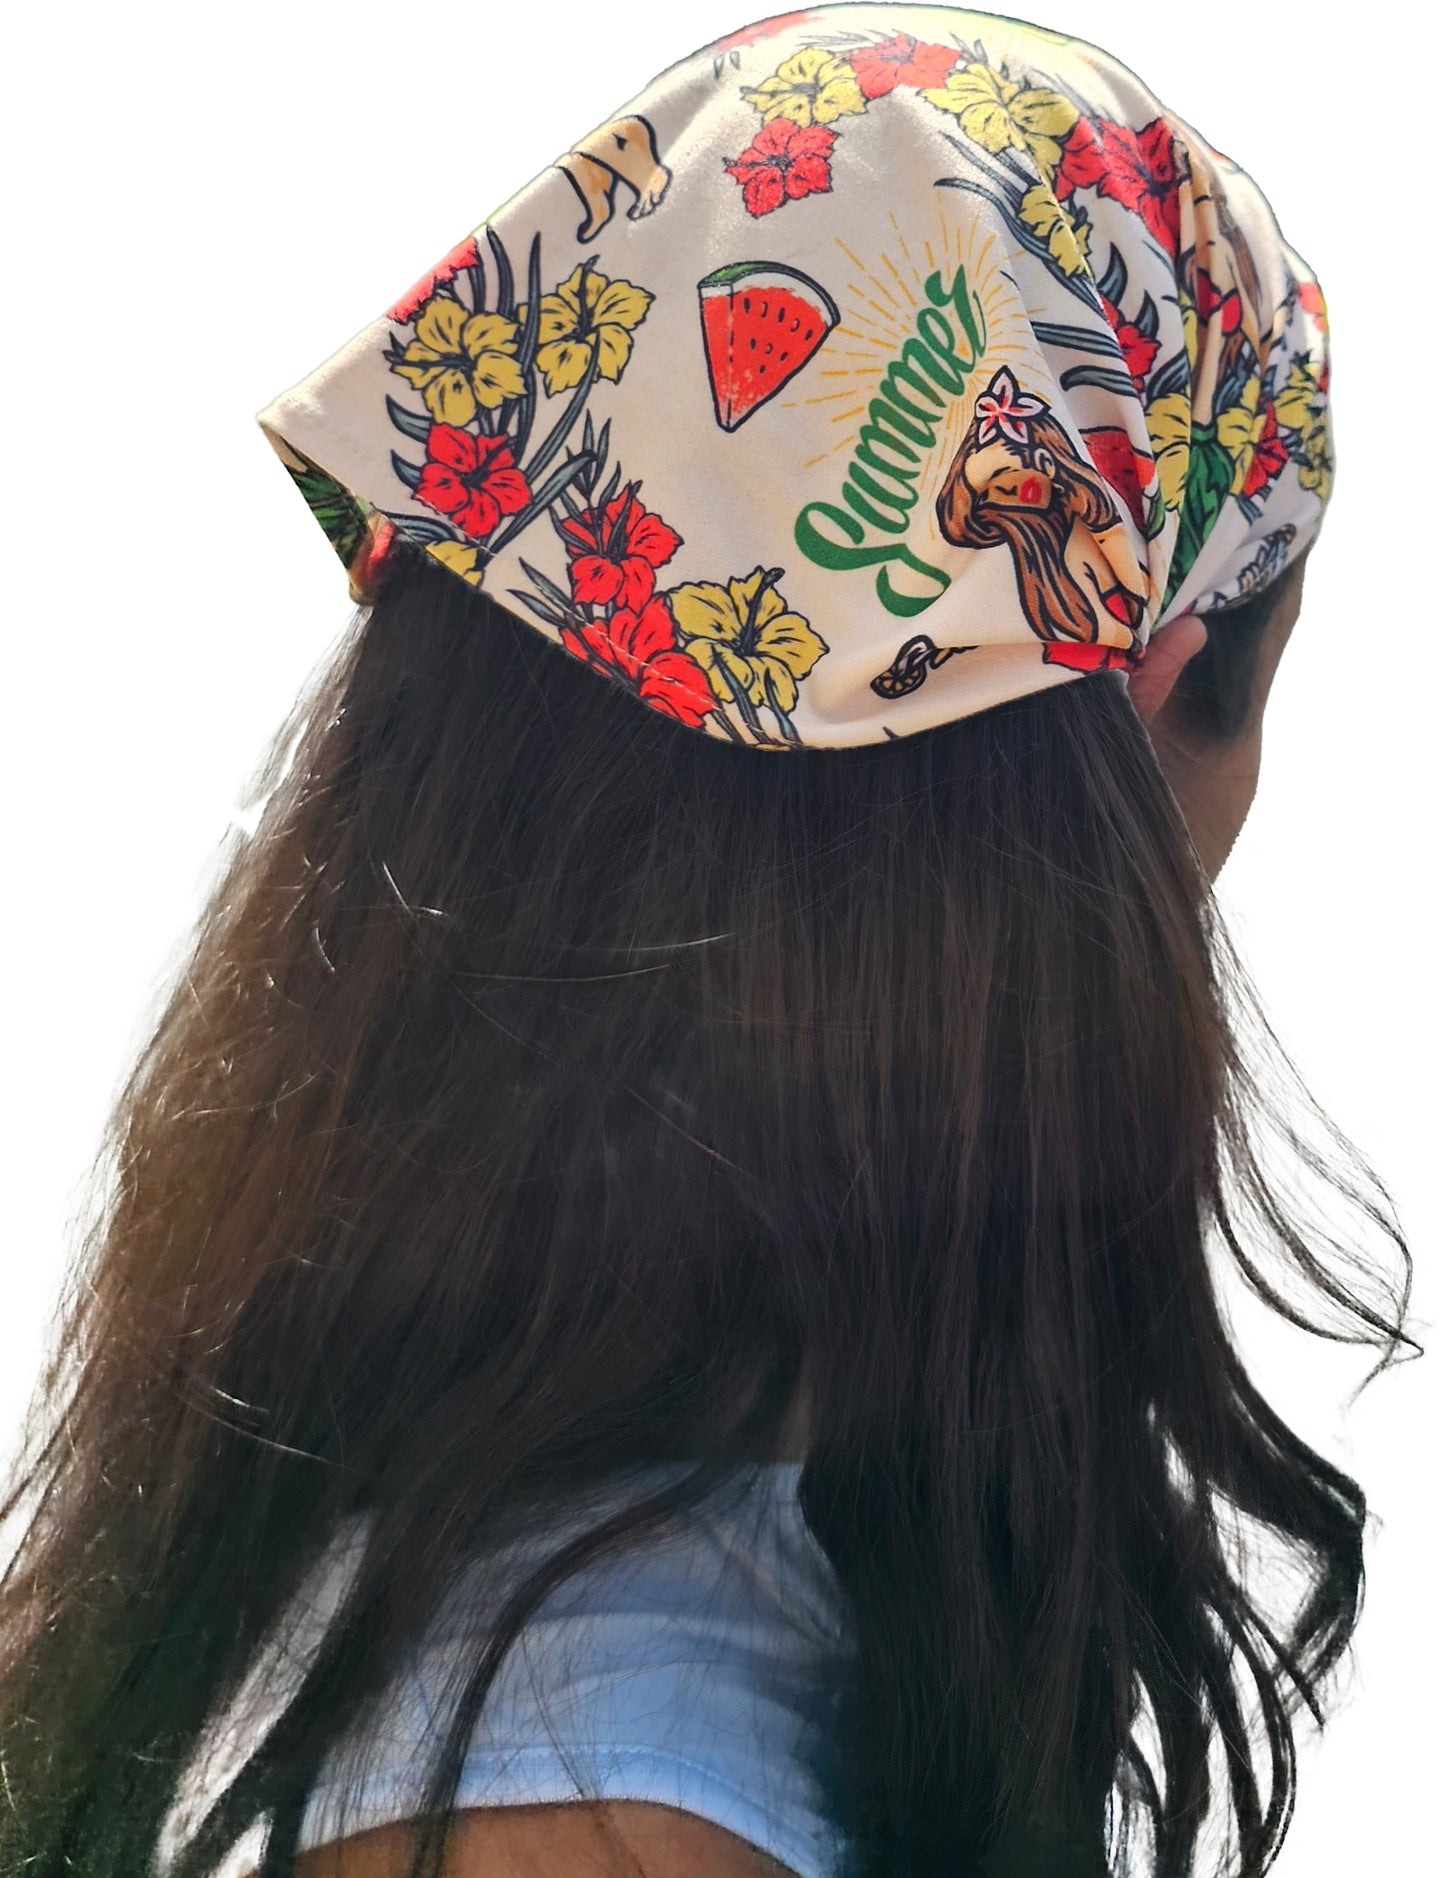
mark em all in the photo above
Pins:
pixel 698 1670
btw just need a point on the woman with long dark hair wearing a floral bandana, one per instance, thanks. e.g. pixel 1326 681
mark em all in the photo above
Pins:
pixel 655 1310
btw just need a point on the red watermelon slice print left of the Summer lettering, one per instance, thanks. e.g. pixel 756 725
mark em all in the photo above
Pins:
pixel 762 324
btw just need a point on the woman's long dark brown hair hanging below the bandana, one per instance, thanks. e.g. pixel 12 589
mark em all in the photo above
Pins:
pixel 553 1088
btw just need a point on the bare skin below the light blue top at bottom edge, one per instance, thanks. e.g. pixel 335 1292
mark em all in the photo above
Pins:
pixel 583 1840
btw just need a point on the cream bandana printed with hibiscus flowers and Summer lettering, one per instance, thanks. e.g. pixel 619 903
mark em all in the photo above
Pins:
pixel 869 369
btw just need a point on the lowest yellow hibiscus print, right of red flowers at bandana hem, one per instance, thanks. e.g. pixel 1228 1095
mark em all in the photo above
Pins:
pixel 749 632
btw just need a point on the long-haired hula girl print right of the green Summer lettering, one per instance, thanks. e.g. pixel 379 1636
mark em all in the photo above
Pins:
pixel 1019 484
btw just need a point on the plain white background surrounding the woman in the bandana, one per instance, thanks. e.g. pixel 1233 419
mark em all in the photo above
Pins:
pixel 206 202
